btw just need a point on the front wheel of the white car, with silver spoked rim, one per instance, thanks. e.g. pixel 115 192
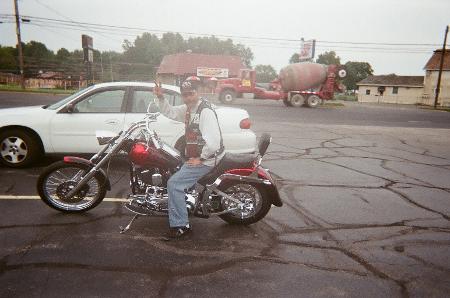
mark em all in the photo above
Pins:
pixel 18 148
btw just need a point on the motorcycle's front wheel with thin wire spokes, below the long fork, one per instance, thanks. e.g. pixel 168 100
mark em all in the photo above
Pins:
pixel 59 178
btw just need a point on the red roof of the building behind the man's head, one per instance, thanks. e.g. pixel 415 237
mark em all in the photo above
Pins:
pixel 187 63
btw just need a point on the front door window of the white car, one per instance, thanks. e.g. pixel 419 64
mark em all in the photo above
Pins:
pixel 109 101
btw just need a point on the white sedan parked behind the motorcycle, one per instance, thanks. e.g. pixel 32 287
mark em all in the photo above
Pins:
pixel 69 125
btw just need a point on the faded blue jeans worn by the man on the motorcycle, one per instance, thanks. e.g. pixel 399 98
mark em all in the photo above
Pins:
pixel 186 177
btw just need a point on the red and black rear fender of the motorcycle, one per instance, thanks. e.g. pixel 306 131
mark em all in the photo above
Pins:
pixel 265 180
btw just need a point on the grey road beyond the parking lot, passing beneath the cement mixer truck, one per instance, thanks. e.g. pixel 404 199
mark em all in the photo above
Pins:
pixel 352 113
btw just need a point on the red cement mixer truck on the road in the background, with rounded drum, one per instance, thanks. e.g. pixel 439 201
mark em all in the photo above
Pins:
pixel 297 85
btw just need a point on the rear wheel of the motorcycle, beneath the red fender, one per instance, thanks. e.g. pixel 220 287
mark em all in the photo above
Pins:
pixel 254 203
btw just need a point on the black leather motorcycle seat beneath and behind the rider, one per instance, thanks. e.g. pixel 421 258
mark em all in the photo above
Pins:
pixel 228 162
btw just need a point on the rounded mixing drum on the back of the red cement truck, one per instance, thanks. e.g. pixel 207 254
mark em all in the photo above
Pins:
pixel 302 76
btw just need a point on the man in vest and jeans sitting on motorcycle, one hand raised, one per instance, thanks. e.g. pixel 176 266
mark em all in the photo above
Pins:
pixel 204 149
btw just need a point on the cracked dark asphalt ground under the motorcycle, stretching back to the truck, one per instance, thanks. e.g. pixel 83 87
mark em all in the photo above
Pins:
pixel 366 213
